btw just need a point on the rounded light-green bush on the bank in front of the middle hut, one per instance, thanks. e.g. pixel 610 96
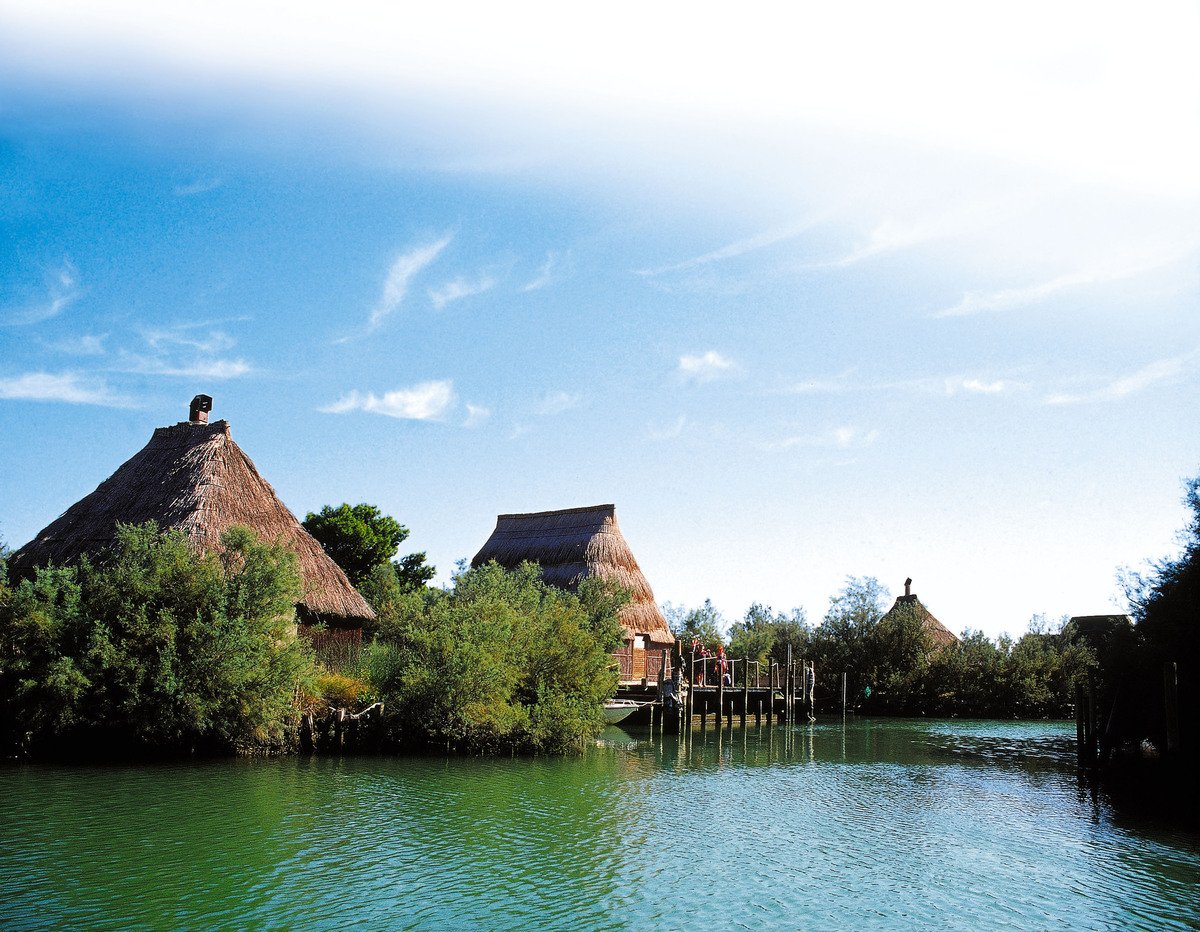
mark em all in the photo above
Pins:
pixel 501 662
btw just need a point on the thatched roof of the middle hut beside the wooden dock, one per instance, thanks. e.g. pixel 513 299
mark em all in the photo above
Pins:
pixel 573 545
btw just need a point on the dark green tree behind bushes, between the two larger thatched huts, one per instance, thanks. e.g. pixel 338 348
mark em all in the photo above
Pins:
pixel 363 542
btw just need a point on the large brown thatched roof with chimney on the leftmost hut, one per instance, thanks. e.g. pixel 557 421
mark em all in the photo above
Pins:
pixel 195 478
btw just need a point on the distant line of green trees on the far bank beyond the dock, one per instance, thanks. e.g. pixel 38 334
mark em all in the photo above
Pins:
pixel 891 665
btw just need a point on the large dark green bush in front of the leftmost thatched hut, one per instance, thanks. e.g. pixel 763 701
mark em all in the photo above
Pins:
pixel 152 650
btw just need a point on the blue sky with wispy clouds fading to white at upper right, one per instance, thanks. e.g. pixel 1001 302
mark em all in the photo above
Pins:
pixel 808 291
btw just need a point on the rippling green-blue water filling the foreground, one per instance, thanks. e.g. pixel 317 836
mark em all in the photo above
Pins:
pixel 881 826
